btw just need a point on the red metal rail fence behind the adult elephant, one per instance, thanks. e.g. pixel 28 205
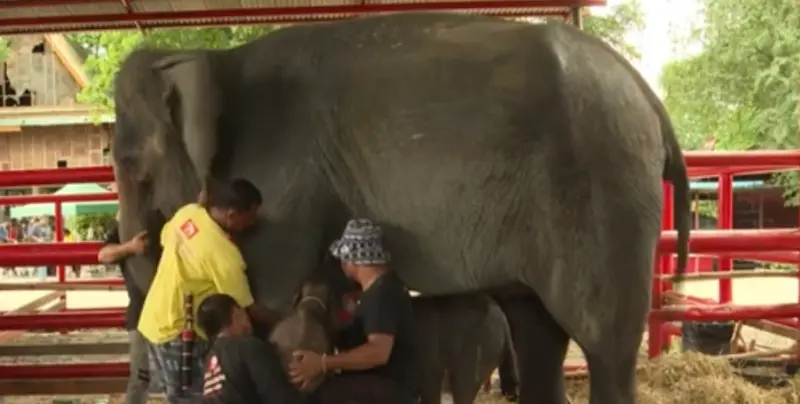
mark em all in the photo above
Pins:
pixel 773 245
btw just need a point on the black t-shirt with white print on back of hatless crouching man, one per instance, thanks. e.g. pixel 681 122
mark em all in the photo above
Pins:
pixel 245 370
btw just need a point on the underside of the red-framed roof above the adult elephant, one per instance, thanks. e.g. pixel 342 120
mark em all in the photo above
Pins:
pixel 36 16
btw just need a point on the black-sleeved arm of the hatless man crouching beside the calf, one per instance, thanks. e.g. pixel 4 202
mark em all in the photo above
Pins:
pixel 265 370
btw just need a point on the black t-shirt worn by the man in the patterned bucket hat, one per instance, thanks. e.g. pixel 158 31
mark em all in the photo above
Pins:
pixel 385 308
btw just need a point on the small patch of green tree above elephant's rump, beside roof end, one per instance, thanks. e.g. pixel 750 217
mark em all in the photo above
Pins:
pixel 615 23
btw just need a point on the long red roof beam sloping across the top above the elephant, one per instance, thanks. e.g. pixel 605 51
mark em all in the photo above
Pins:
pixel 351 9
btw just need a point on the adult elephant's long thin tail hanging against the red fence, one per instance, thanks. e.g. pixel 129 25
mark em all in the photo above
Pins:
pixel 675 172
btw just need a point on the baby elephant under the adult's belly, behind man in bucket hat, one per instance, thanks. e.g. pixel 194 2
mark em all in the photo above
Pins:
pixel 461 336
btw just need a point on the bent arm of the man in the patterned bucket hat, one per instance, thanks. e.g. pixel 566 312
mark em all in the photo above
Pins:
pixel 380 325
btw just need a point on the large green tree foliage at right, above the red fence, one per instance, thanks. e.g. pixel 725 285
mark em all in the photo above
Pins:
pixel 742 88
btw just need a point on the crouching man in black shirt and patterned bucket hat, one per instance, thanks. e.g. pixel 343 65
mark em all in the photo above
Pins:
pixel 378 362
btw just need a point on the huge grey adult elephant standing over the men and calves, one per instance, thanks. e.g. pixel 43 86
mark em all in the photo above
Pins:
pixel 524 160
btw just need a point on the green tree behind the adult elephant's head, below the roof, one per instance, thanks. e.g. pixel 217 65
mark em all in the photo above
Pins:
pixel 106 51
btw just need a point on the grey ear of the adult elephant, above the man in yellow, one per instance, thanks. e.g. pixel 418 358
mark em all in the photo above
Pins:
pixel 193 96
